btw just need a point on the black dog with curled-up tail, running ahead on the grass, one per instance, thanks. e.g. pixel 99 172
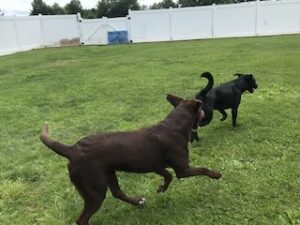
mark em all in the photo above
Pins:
pixel 225 96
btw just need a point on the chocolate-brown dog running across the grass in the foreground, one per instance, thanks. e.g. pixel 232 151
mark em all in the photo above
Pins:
pixel 95 159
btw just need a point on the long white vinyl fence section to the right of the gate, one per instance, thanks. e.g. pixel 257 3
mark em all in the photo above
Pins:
pixel 234 20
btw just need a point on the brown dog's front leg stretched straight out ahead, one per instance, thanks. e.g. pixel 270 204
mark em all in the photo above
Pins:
pixel 188 172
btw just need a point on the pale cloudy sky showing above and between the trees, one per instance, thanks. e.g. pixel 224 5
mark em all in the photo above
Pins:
pixel 23 7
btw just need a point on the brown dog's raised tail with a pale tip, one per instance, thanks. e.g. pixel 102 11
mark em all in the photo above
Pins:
pixel 61 149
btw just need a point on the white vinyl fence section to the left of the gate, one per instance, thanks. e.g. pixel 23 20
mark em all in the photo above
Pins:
pixel 24 33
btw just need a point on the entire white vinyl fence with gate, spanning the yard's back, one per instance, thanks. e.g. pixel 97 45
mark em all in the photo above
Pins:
pixel 234 20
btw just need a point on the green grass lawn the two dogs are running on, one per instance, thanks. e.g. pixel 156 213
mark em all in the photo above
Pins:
pixel 83 90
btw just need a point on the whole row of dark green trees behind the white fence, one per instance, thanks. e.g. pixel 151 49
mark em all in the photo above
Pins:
pixel 115 8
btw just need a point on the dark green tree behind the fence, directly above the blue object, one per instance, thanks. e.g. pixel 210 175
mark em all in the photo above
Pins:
pixel 116 8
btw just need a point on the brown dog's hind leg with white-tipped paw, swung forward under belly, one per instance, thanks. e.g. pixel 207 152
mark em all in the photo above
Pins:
pixel 118 193
